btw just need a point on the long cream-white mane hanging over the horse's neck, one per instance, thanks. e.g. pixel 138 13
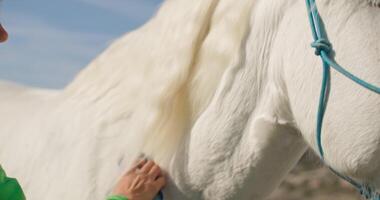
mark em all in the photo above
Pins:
pixel 167 70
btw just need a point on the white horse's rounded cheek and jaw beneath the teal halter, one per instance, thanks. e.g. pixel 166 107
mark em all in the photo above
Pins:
pixel 353 29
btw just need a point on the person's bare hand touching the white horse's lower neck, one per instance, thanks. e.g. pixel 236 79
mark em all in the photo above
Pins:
pixel 142 182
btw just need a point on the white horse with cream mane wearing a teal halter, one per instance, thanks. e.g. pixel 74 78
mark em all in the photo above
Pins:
pixel 222 93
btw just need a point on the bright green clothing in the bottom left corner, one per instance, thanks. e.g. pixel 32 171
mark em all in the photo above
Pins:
pixel 10 189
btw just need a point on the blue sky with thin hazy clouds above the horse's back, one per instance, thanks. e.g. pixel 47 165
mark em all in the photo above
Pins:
pixel 52 40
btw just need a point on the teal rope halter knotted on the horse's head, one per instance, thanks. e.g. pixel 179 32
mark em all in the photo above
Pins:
pixel 323 49
